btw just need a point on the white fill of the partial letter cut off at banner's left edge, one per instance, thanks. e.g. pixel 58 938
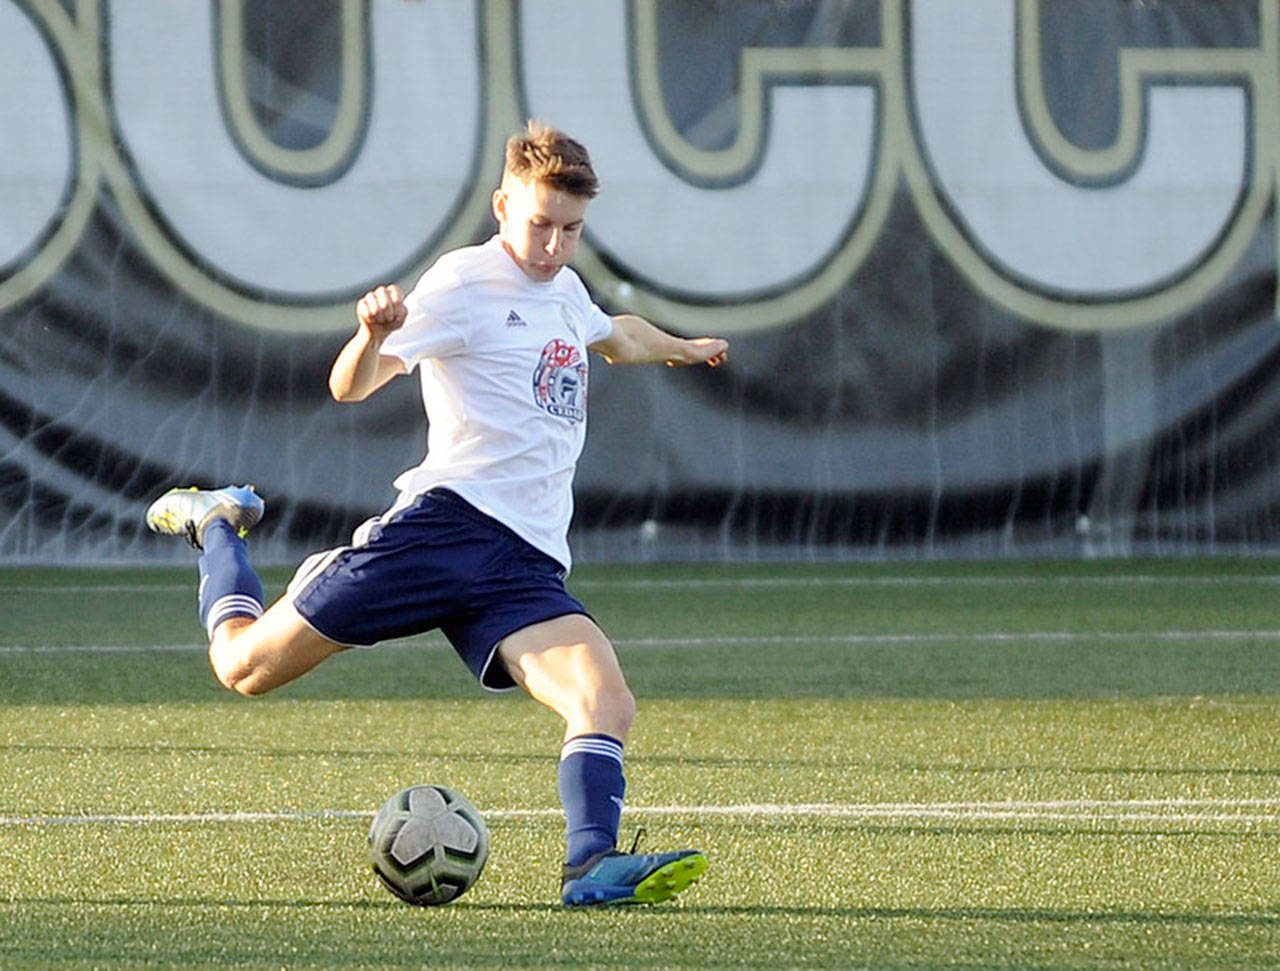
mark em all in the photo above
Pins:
pixel 38 159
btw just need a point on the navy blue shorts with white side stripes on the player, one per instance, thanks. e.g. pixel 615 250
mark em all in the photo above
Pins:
pixel 437 564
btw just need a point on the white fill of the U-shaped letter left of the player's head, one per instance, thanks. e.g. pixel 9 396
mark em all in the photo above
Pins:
pixel 413 168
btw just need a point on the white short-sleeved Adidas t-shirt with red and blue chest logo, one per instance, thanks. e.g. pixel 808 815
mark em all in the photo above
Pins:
pixel 504 367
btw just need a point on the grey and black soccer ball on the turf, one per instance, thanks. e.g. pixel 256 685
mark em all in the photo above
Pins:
pixel 428 845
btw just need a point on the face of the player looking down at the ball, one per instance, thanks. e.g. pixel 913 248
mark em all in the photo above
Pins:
pixel 540 226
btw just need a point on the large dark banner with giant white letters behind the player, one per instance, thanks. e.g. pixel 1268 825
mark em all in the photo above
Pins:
pixel 1000 276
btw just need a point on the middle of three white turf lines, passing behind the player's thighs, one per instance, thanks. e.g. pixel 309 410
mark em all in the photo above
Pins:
pixel 747 640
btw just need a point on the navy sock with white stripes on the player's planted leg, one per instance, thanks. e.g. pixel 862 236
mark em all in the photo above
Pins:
pixel 591 791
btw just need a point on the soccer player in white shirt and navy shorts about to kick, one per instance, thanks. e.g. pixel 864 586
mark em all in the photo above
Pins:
pixel 477 542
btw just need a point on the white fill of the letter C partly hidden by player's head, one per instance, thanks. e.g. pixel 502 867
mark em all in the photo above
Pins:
pixel 774 230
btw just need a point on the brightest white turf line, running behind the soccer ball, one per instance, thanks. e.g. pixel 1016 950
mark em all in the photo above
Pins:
pixel 1255 812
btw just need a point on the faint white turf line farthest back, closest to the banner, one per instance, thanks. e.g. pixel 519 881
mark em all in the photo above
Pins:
pixel 751 583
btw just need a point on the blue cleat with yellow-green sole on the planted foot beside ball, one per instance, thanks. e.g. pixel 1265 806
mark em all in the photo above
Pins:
pixel 614 878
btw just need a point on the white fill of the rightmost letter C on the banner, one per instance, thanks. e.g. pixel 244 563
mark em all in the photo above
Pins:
pixel 1086 242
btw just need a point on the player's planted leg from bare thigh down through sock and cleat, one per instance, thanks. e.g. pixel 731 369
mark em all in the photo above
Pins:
pixel 570 667
